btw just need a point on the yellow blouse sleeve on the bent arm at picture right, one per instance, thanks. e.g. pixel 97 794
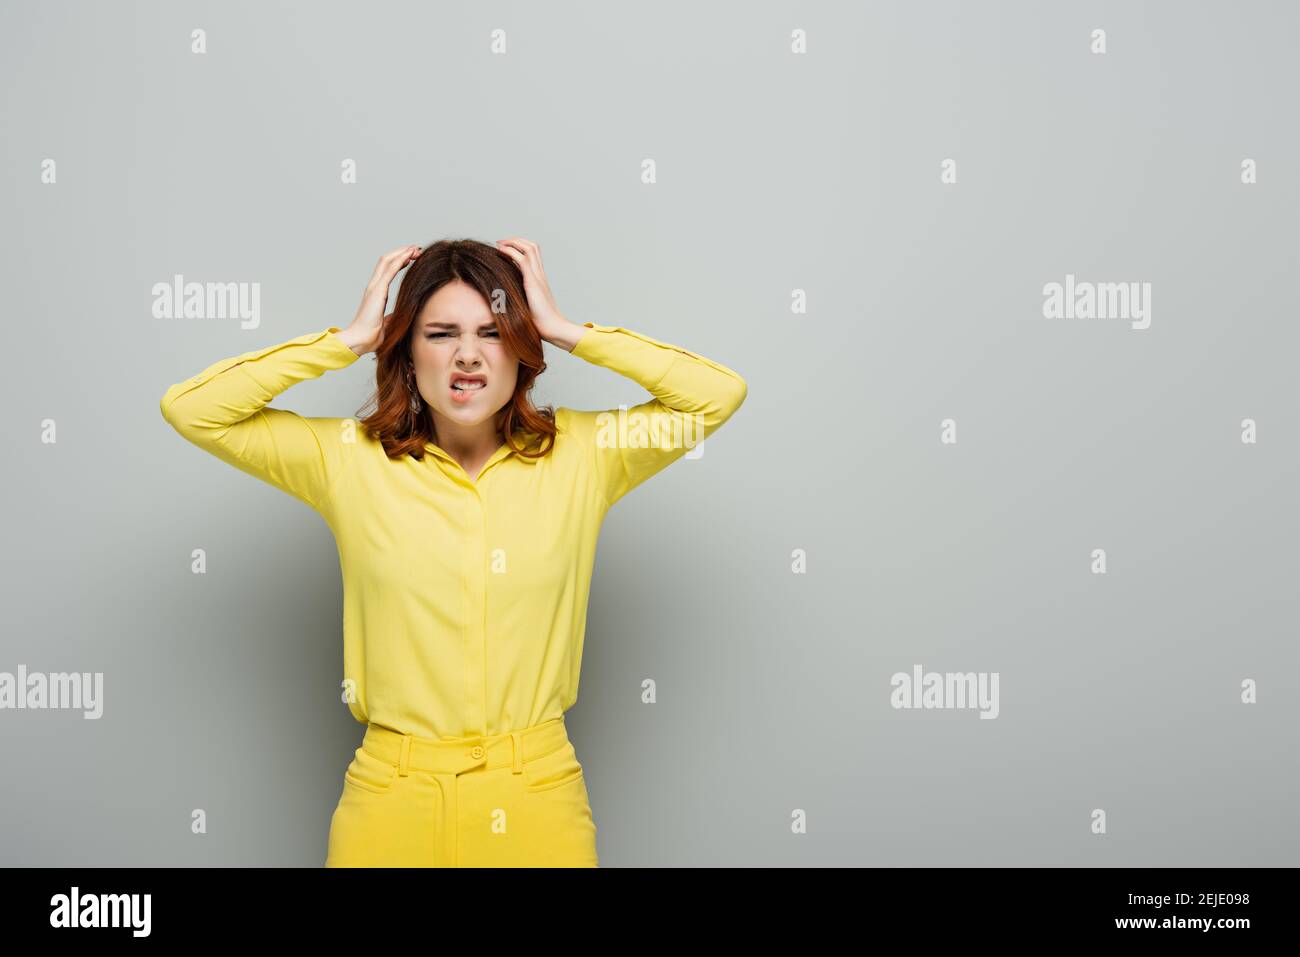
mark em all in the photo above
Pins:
pixel 692 399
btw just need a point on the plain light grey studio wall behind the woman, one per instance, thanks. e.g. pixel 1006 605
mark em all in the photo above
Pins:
pixel 777 172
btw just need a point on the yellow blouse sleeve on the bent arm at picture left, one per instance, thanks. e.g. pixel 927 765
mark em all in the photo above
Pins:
pixel 224 412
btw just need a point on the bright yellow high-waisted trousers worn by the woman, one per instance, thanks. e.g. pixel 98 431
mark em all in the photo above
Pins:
pixel 515 800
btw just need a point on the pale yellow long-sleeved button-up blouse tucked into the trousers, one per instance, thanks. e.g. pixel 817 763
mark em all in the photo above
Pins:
pixel 465 601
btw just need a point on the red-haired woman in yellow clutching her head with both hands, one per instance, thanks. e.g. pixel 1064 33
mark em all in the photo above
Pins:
pixel 466 522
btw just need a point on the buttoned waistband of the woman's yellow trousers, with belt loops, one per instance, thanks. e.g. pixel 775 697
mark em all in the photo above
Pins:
pixel 453 756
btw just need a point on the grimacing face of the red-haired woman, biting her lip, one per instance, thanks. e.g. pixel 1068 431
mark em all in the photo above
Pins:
pixel 456 336
